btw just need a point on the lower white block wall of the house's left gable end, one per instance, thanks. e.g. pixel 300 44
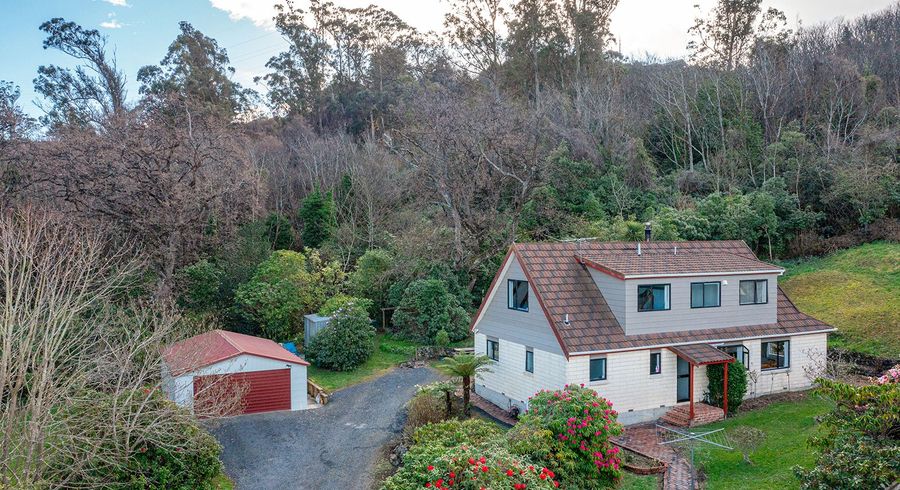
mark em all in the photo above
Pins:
pixel 509 383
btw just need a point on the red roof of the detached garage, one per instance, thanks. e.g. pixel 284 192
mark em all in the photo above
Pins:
pixel 218 345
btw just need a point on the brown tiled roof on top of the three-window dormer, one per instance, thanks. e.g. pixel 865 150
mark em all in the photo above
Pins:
pixel 673 262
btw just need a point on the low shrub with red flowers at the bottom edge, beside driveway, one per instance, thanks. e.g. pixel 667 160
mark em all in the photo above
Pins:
pixel 467 455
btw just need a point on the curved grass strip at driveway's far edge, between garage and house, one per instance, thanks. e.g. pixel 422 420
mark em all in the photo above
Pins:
pixel 389 352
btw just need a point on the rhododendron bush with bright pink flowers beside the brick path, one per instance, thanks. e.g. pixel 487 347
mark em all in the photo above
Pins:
pixel 577 447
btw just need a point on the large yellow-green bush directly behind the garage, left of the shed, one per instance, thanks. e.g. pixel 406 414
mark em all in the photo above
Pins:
pixel 284 287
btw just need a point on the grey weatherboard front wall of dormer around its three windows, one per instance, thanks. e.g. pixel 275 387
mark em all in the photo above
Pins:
pixel 681 317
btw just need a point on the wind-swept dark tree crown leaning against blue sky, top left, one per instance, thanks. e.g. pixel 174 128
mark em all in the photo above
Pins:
pixel 89 95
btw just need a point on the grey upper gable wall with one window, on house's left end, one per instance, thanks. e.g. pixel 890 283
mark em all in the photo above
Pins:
pixel 528 328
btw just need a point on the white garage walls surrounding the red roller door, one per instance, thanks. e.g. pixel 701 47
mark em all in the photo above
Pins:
pixel 181 389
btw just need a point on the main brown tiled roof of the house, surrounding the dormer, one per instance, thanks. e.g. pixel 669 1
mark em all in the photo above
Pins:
pixel 564 286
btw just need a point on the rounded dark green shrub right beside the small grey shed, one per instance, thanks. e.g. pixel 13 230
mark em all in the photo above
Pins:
pixel 347 341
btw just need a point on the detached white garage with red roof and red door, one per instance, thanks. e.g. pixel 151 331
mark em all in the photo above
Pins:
pixel 227 373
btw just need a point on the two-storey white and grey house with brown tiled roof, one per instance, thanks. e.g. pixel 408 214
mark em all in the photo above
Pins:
pixel 638 322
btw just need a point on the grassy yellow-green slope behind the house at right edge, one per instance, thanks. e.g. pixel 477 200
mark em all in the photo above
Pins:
pixel 856 290
